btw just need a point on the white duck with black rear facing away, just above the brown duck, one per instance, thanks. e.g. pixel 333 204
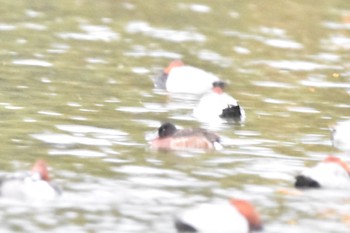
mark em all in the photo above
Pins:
pixel 218 104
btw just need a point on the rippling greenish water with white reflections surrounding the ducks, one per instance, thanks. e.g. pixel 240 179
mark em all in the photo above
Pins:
pixel 76 89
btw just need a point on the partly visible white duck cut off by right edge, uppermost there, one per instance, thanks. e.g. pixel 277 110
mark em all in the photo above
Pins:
pixel 341 135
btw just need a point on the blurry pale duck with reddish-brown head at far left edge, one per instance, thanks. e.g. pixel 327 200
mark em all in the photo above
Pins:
pixel 32 185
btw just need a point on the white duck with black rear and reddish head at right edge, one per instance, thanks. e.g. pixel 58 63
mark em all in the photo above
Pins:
pixel 331 173
